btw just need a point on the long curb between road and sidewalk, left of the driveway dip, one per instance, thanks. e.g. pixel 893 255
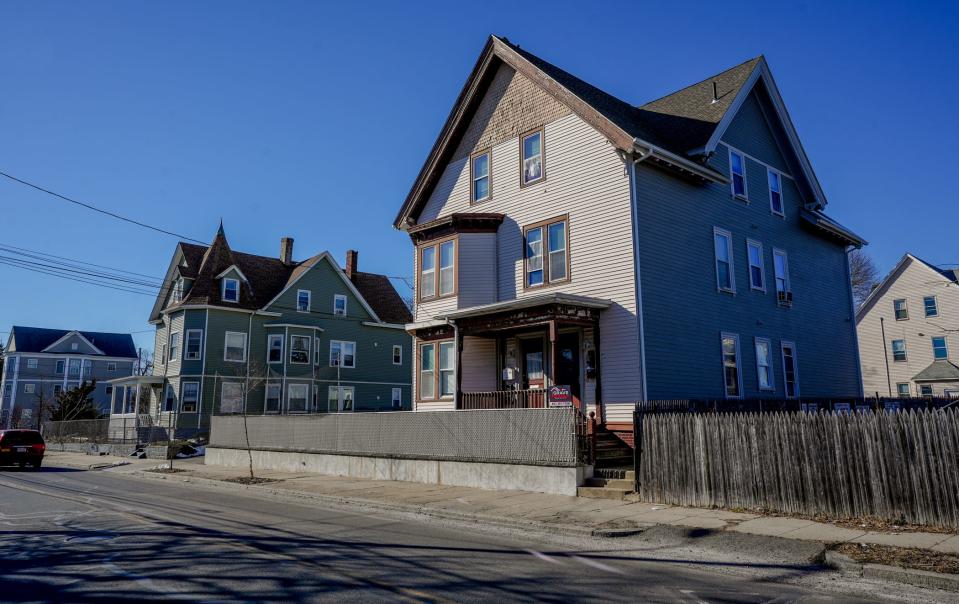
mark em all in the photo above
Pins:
pixel 468 517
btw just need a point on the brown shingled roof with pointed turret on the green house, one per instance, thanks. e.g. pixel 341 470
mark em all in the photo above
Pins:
pixel 265 278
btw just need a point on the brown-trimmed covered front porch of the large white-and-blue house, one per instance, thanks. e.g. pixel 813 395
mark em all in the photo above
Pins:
pixel 509 354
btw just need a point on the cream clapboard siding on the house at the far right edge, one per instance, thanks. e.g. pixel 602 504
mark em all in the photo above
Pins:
pixel 911 280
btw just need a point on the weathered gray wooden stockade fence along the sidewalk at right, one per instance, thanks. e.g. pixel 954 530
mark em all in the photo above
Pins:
pixel 899 467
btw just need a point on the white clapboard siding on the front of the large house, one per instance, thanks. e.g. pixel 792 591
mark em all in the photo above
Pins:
pixel 586 180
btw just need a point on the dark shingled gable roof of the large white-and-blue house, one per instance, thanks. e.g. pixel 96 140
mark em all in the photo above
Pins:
pixel 677 131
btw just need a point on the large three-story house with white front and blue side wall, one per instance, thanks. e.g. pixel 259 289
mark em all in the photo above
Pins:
pixel 675 249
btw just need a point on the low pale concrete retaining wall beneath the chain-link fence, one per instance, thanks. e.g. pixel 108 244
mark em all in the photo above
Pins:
pixel 494 476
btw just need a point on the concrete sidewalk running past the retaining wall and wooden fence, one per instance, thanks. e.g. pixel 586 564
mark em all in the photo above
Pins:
pixel 572 515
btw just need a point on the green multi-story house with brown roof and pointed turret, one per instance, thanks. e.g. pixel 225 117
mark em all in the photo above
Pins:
pixel 242 333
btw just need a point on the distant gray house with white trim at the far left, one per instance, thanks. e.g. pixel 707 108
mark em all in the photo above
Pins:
pixel 40 363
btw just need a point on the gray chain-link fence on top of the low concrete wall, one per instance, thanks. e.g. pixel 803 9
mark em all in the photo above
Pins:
pixel 548 437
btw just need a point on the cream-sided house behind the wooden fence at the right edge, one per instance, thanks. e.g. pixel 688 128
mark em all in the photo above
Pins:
pixel 909 332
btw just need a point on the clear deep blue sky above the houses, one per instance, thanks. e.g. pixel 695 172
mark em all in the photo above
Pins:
pixel 310 120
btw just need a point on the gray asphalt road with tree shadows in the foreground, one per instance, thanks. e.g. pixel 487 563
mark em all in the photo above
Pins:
pixel 81 536
